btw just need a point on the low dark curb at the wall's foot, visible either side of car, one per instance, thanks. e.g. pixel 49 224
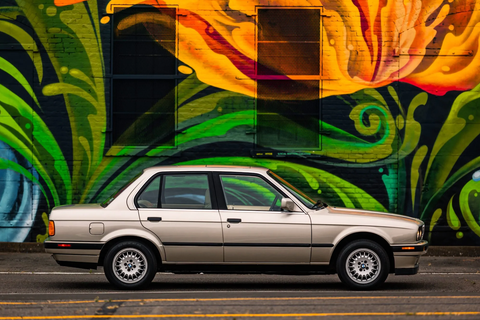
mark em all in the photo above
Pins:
pixel 433 251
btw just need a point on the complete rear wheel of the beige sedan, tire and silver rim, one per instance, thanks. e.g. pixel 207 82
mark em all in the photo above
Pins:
pixel 130 265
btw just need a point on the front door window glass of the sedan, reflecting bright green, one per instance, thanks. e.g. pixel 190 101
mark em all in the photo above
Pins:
pixel 250 193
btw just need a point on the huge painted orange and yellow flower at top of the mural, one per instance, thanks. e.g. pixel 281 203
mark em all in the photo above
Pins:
pixel 432 44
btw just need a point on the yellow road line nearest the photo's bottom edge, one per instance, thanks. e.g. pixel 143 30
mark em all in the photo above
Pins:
pixel 246 315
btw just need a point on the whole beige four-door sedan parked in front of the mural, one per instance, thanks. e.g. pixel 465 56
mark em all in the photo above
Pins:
pixel 230 219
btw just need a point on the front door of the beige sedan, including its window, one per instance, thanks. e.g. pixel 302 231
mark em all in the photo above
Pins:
pixel 255 229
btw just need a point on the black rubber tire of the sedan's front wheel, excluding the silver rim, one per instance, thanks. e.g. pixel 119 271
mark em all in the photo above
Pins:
pixel 367 244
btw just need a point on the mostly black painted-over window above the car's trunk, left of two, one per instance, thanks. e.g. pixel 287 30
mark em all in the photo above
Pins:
pixel 144 72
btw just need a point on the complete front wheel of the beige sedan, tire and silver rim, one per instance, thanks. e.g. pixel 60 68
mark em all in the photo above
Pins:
pixel 363 265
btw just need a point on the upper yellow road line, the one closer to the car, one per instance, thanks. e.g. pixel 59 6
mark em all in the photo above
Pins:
pixel 238 299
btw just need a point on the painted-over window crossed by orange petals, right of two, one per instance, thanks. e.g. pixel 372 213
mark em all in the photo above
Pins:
pixel 288 85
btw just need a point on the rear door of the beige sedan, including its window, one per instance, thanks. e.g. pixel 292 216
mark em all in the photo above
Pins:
pixel 178 208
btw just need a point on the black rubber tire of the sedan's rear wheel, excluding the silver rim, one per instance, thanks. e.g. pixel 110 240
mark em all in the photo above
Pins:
pixel 151 268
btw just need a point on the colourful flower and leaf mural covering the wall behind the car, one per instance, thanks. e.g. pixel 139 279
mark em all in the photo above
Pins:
pixel 366 104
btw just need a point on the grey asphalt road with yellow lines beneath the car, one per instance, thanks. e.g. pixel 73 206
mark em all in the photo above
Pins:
pixel 32 286
